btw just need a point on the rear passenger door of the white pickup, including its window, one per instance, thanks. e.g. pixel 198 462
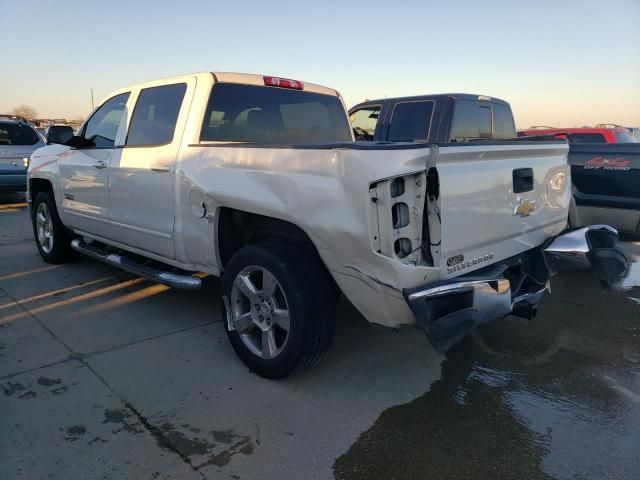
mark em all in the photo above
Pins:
pixel 142 175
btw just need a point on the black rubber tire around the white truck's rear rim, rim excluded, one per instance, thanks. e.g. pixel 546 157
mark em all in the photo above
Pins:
pixel 310 300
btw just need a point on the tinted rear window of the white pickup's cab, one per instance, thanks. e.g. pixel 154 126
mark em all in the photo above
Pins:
pixel 248 113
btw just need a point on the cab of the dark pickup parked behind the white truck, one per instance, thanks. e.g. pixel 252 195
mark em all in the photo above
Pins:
pixel 442 118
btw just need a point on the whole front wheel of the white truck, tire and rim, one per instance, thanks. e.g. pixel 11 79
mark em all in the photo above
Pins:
pixel 52 237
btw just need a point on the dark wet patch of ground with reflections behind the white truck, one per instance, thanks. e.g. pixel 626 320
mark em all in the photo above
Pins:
pixel 555 398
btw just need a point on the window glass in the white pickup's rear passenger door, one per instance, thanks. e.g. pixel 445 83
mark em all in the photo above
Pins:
pixel 154 117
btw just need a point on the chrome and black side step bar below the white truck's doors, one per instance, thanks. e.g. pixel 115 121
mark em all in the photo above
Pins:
pixel 175 280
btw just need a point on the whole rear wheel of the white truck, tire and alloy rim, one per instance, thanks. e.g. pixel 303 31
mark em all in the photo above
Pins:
pixel 278 308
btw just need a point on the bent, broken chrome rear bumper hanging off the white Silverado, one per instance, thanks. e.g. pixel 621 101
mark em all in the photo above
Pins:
pixel 449 310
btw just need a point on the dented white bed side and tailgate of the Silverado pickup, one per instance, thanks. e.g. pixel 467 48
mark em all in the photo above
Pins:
pixel 345 199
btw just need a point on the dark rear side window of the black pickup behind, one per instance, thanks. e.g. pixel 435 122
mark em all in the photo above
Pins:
pixel 410 121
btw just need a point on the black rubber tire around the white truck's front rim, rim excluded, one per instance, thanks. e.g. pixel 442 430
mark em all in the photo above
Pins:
pixel 60 251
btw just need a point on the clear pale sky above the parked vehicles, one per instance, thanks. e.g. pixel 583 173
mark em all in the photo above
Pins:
pixel 568 63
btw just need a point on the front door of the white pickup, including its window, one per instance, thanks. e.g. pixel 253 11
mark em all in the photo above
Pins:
pixel 84 171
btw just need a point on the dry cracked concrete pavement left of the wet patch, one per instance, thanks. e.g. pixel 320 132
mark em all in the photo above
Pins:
pixel 105 375
